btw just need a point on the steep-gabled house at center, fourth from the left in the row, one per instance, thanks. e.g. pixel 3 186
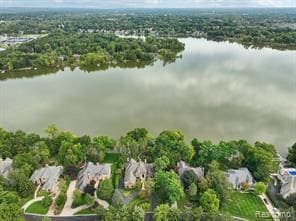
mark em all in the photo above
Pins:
pixel 137 170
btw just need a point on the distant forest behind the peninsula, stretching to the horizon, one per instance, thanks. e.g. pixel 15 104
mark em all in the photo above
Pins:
pixel 275 28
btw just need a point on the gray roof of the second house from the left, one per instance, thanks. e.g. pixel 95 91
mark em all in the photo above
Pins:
pixel 50 174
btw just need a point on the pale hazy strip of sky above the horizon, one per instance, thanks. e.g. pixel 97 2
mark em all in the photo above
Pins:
pixel 147 3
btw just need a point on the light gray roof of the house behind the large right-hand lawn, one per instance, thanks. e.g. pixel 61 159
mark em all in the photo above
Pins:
pixel 238 176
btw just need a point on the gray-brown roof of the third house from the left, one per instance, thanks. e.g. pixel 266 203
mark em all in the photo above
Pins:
pixel 91 172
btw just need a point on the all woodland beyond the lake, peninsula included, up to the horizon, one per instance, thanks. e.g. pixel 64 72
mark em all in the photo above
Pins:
pixel 89 38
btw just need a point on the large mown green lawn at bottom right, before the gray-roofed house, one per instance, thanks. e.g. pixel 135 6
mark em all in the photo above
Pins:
pixel 245 205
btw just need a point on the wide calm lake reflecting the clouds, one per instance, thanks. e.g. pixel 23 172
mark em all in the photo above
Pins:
pixel 217 91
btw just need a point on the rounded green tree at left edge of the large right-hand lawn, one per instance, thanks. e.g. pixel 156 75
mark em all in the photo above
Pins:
pixel 209 201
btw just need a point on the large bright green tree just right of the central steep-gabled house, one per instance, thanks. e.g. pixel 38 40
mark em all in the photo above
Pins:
pixel 168 187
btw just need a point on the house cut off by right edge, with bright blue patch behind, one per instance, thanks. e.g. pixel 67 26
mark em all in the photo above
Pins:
pixel 287 176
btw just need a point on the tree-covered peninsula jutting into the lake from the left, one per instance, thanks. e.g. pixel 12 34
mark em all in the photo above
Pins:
pixel 89 51
